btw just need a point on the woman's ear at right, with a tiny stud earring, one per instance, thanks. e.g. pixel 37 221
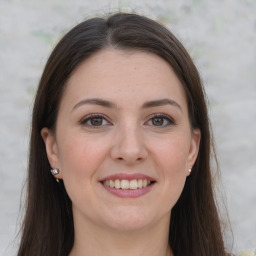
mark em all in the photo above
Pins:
pixel 194 147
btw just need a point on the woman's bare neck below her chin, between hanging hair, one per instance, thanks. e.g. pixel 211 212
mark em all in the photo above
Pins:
pixel 94 240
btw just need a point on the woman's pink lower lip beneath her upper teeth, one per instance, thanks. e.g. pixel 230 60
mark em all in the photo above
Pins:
pixel 129 193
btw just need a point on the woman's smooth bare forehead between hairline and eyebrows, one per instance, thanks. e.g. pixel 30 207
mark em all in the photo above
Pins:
pixel 123 76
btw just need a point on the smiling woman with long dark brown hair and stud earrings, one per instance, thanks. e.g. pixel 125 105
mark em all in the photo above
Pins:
pixel 120 121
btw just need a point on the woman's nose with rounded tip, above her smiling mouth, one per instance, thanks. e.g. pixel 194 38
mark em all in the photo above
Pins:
pixel 129 146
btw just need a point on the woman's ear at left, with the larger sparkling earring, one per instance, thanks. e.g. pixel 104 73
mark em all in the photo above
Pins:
pixel 51 150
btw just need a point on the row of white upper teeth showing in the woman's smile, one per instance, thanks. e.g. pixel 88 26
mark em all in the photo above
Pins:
pixel 126 184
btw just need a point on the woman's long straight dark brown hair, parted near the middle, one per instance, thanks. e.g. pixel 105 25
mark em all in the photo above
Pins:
pixel 48 225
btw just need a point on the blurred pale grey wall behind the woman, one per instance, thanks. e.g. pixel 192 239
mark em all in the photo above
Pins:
pixel 220 36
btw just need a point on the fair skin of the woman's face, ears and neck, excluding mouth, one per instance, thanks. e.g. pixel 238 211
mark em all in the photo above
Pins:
pixel 128 139
